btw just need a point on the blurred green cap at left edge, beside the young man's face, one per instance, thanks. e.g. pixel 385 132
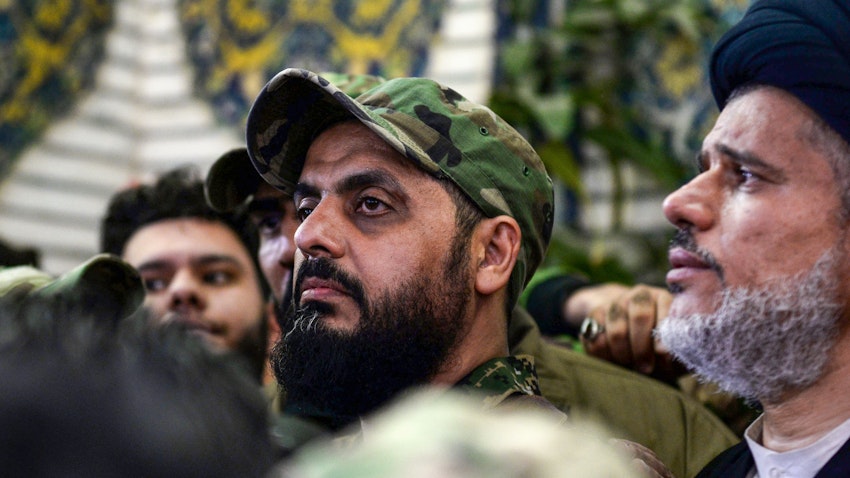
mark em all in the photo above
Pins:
pixel 104 283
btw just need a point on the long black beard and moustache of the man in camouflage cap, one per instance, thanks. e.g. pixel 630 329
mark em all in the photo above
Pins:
pixel 402 340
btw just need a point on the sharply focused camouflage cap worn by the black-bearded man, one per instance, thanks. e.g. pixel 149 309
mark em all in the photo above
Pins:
pixel 439 130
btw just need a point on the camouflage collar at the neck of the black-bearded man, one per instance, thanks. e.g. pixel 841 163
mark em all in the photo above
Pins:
pixel 499 378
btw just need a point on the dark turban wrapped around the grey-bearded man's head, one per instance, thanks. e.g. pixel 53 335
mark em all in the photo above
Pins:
pixel 800 46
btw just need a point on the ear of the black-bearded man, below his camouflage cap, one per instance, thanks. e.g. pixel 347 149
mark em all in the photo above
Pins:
pixel 500 237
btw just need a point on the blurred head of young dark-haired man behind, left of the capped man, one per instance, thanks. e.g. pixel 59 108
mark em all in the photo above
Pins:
pixel 198 265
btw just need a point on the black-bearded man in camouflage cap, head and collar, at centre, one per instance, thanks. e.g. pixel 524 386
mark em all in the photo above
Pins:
pixel 403 194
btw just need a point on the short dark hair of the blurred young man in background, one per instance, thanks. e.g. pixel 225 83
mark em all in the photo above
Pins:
pixel 178 193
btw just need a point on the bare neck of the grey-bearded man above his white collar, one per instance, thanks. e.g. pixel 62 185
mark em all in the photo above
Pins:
pixel 802 417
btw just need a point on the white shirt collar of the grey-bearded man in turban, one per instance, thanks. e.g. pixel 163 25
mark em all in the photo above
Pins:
pixel 801 463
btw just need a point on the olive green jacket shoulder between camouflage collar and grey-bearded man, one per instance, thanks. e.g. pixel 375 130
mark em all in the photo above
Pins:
pixel 683 433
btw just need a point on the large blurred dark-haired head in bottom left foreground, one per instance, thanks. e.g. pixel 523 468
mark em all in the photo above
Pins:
pixel 88 395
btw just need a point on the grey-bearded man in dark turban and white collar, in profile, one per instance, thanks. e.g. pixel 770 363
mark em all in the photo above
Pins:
pixel 760 265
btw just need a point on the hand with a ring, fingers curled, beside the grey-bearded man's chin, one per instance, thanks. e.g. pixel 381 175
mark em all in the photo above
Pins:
pixel 628 316
